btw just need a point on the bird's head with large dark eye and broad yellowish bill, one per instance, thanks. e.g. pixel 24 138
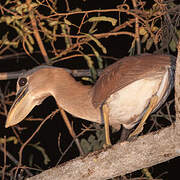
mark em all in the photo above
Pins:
pixel 32 88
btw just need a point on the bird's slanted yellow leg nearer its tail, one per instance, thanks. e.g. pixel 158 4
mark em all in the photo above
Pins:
pixel 151 106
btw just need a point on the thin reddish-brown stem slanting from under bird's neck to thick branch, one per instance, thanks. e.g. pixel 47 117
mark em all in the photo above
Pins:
pixel 71 131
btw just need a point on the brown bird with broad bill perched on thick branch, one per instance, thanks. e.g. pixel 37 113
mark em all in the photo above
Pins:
pixel 124 95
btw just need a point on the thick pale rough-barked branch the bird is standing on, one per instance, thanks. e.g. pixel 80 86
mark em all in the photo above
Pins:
pixel 120 159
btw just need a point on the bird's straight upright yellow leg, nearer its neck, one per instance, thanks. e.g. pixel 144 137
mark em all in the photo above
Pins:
pixel 106 123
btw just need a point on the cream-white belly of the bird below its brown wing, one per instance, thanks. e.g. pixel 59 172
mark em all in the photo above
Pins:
pixel 127 104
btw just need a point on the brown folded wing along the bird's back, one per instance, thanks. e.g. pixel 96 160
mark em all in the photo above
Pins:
pixel 125 71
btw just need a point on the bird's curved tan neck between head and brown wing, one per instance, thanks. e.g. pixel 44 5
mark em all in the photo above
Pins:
pixel 76 99
